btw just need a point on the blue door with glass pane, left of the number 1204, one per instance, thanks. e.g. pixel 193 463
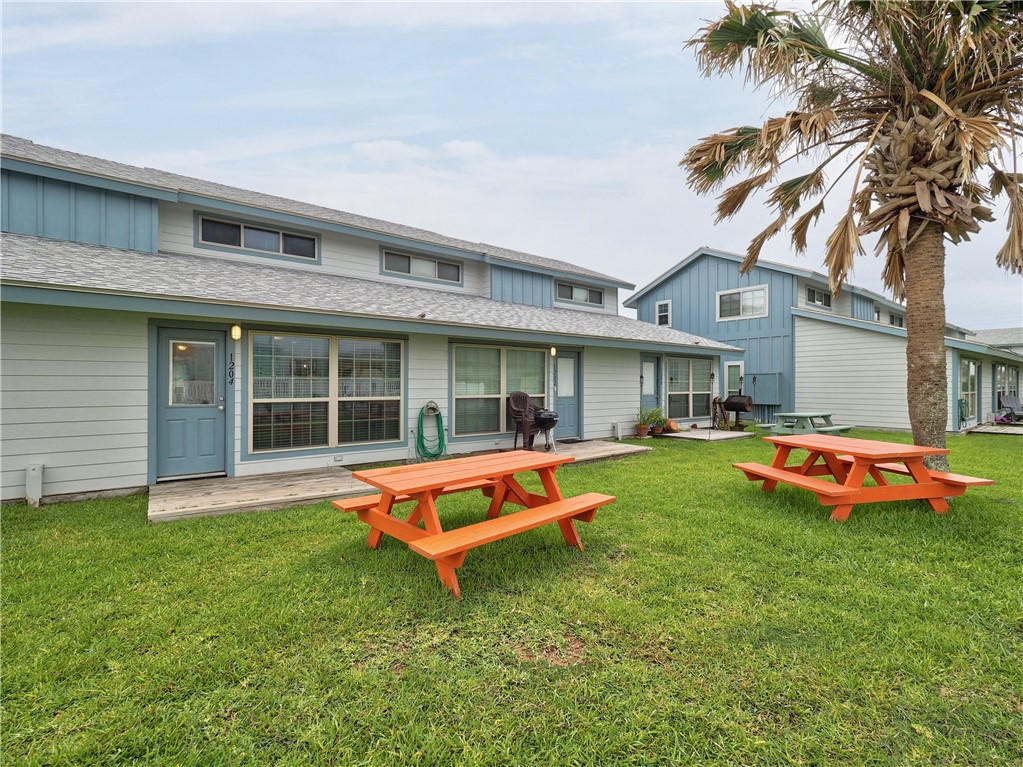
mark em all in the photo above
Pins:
pixel 191 409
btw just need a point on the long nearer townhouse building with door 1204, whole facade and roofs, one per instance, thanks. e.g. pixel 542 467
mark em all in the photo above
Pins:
pixel 157 327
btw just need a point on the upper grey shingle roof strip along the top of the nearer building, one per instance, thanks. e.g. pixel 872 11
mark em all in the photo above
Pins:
pixel 24 150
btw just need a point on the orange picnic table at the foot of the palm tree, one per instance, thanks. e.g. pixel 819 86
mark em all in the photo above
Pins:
pixel 849 463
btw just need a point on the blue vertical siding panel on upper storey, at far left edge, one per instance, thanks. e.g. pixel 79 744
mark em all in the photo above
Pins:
pixel 60 210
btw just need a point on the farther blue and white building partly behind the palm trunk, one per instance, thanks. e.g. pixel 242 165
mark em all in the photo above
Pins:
pixel 810 350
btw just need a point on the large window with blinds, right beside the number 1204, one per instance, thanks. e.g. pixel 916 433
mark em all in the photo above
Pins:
pixel 293 378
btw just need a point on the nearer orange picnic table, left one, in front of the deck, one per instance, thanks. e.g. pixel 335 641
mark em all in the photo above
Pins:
pixel 495 474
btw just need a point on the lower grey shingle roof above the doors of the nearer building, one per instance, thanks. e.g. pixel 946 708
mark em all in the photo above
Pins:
pixel 47 263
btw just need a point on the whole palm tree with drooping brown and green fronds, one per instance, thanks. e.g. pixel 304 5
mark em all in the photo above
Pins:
pixel 919 104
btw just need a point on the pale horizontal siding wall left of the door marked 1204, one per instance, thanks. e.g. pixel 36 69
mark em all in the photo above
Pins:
pixel 74 398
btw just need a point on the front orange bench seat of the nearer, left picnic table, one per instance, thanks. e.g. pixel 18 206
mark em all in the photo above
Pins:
pixel 463 539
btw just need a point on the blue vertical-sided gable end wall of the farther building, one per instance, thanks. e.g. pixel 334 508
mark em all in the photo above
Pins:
pixel 768 341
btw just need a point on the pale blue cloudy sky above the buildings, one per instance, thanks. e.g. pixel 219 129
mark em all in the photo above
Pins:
pixel 550 128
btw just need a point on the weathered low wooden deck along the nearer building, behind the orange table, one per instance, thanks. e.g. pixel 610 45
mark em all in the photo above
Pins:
pixel 226 495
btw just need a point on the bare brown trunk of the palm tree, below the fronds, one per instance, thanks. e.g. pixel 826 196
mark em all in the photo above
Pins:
pixel 927 388
